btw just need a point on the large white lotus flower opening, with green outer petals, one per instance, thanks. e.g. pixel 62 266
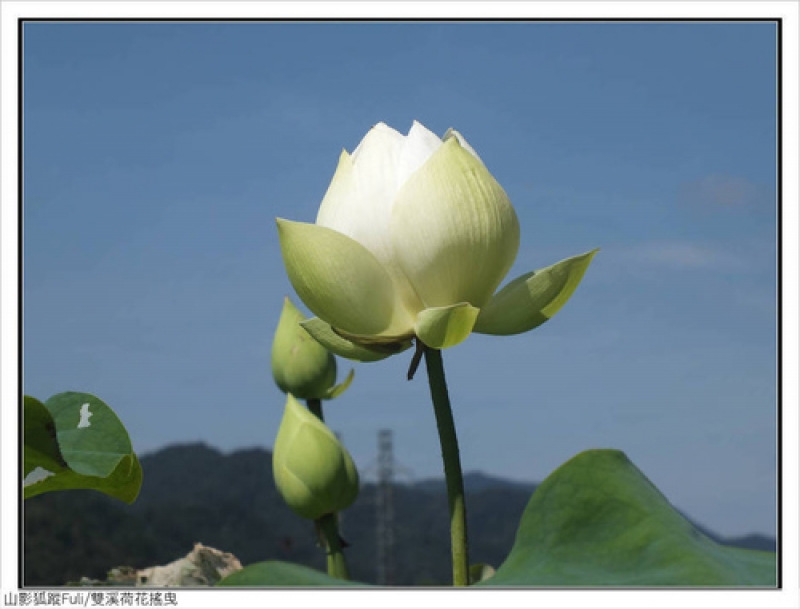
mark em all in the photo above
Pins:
pixel 412 238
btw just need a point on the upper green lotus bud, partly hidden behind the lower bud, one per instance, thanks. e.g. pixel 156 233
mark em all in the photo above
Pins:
pixel 300 365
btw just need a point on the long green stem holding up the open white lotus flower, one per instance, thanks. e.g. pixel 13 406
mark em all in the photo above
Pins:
pixel 452 466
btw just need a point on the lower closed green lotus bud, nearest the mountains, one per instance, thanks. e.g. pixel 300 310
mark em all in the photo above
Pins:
pixel 313 471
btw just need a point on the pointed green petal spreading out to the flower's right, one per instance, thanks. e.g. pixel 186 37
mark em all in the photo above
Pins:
pixel 533 298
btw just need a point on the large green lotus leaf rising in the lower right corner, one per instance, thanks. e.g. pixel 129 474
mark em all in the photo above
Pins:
pixel 598 521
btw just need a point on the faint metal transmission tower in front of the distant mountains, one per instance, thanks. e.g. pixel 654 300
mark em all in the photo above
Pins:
pixel 385 508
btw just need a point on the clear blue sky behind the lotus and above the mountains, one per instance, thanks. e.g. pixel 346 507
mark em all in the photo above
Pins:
pixel 157 157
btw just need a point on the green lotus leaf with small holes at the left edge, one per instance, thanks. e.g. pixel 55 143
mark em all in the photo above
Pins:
pixel 75 441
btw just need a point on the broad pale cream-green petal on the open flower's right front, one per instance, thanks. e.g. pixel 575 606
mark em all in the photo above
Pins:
pixel 454 231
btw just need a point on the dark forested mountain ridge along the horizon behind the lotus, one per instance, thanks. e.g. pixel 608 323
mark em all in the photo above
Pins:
pixel 194 493
